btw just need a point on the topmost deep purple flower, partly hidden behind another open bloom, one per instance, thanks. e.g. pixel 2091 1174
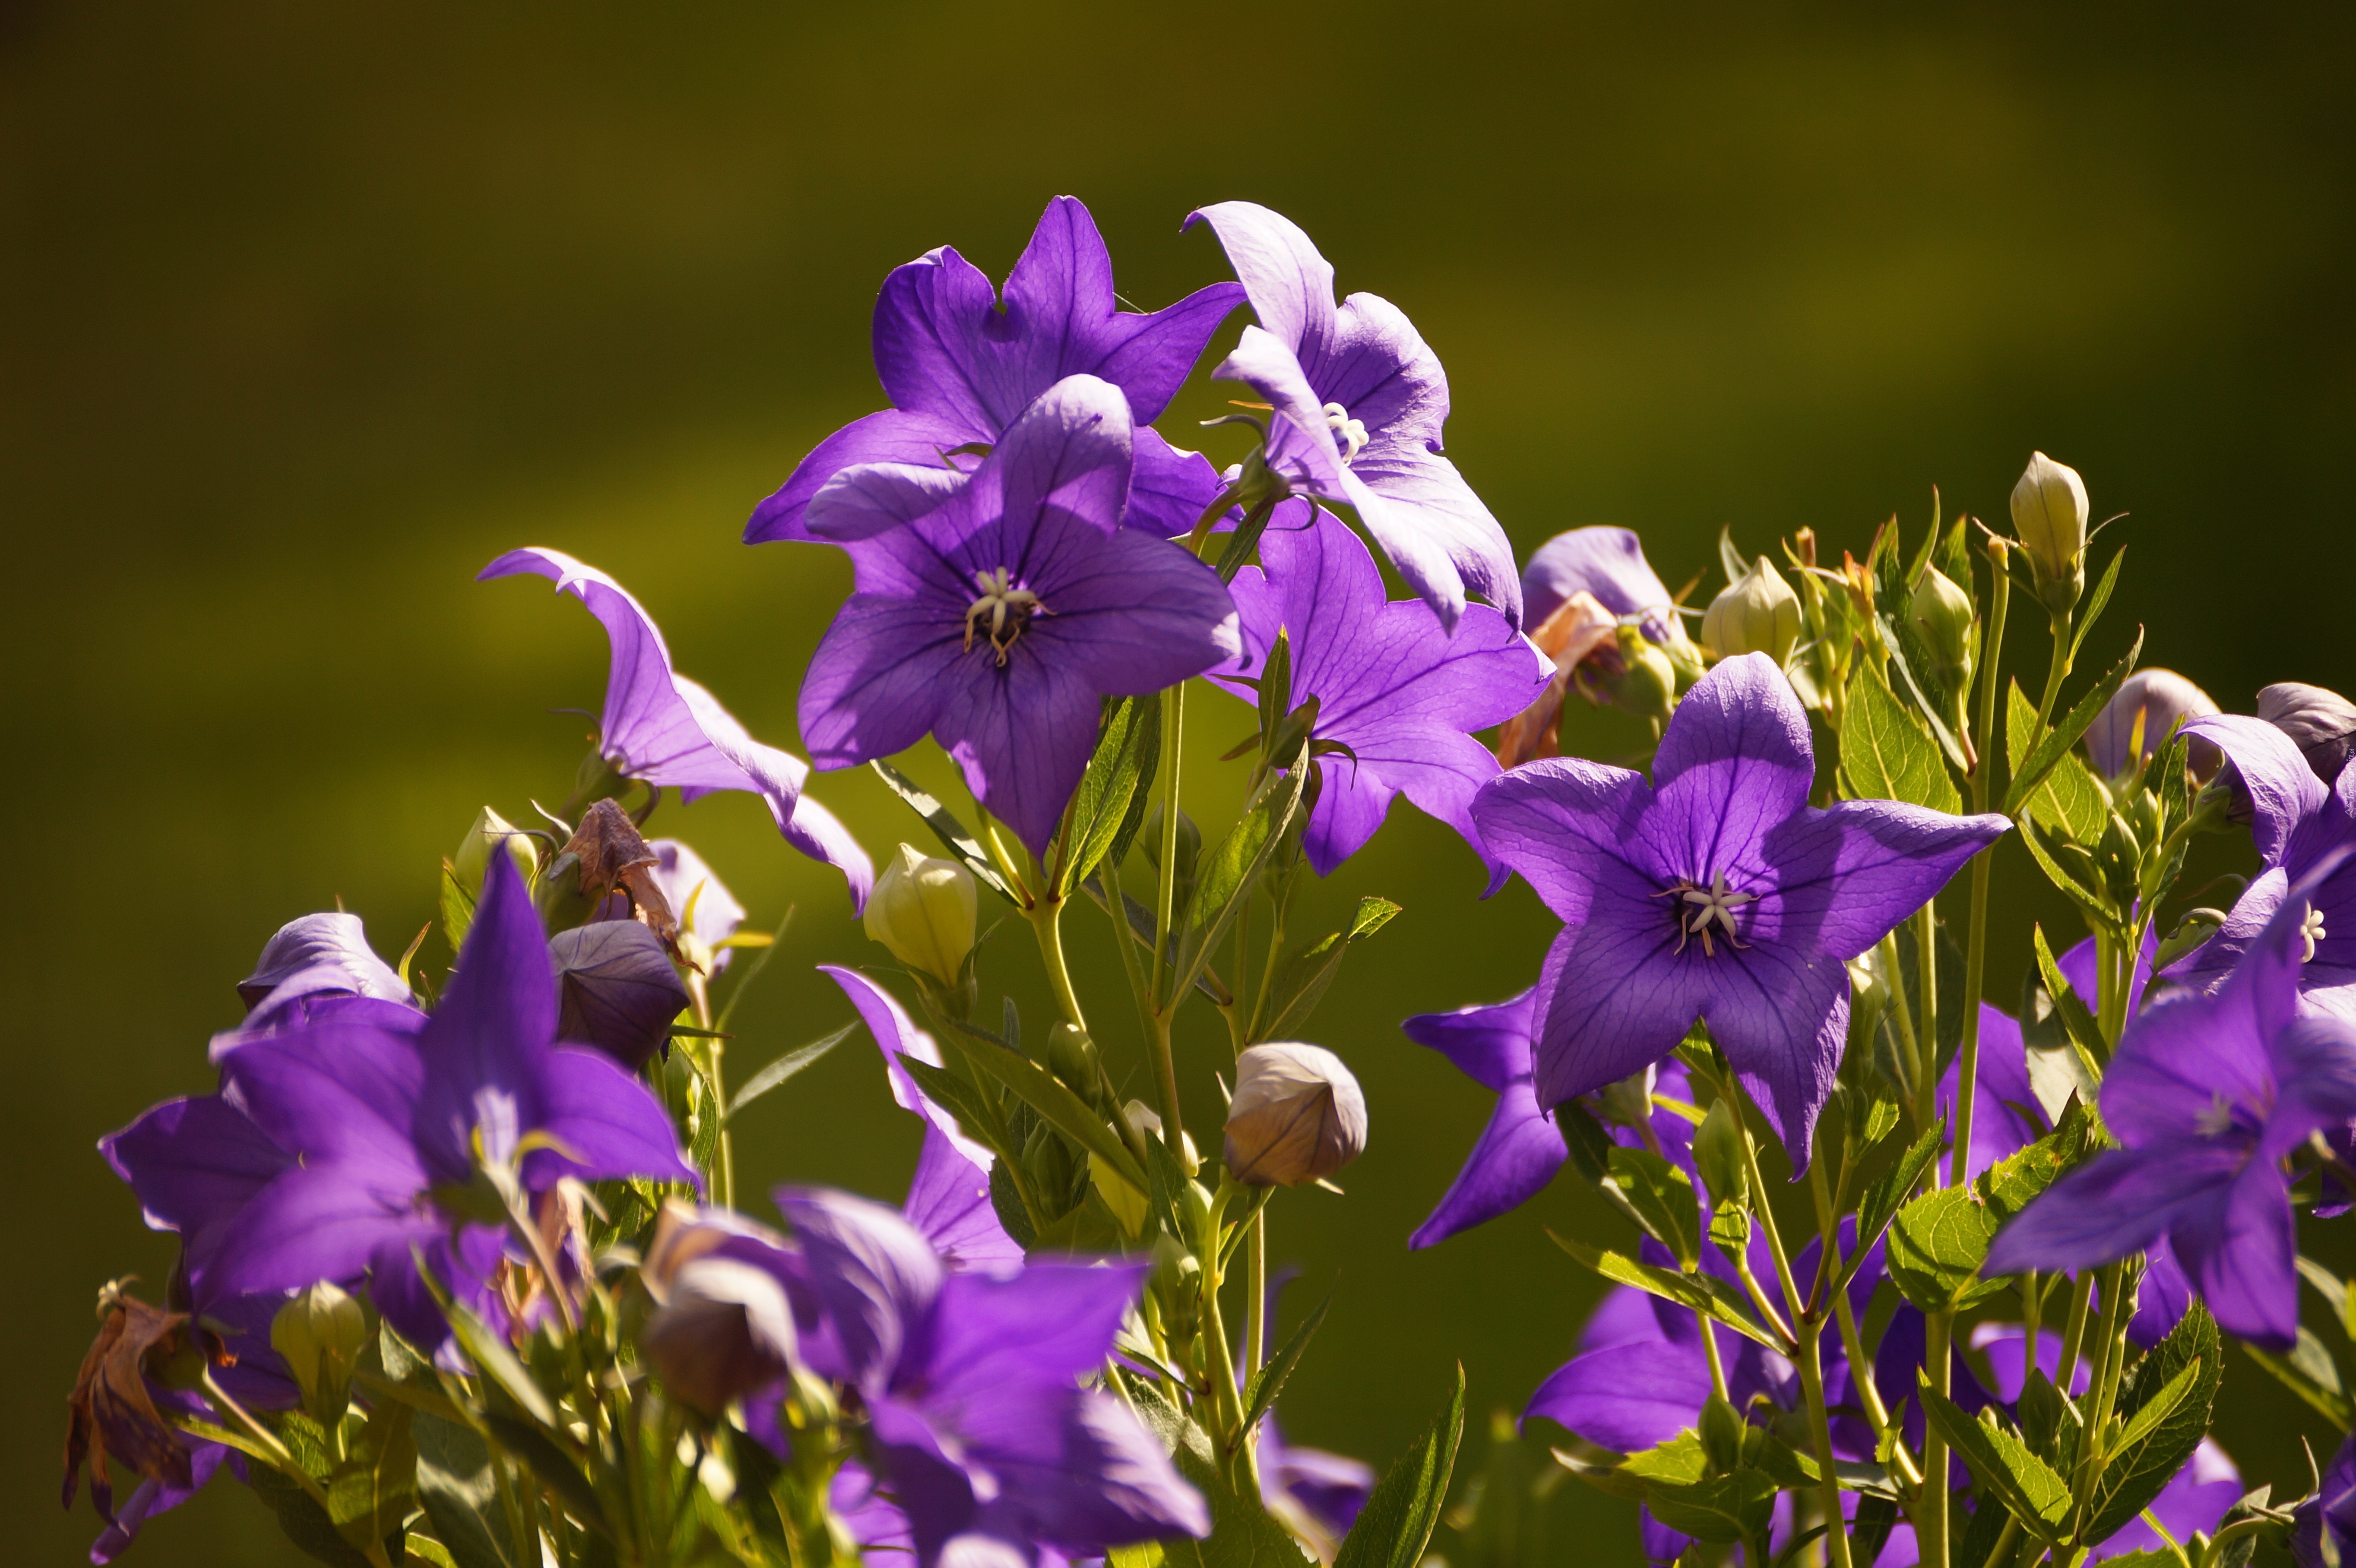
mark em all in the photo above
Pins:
pixel 960 368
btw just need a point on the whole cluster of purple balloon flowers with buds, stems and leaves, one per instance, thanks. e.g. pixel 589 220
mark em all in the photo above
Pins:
pixel 1895 1275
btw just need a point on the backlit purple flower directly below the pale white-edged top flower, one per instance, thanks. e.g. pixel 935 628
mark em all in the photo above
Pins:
pixel 1391 686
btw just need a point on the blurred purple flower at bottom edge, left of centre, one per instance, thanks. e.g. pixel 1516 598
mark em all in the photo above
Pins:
pixel 969 1383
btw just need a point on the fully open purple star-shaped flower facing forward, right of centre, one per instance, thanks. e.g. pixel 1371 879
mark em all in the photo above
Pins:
pixel 1714 893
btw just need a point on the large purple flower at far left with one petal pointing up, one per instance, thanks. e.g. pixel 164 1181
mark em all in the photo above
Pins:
pixel 329 1145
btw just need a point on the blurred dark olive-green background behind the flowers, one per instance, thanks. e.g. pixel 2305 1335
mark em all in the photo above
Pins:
pixel 317 310
